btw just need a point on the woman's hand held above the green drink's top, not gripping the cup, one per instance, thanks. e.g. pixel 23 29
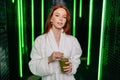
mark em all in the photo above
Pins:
pixel 55 56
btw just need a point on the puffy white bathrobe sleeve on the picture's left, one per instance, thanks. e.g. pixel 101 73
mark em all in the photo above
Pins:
pixel 39 62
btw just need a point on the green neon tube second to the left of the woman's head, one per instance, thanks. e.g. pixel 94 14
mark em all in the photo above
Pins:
pixel 32 14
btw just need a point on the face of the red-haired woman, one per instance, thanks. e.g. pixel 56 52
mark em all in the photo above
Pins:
pixel 58 18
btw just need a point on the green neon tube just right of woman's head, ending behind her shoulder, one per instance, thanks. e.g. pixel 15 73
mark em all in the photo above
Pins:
pixel 74 18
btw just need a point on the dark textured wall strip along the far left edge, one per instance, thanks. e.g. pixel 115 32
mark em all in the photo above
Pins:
pixel 4 54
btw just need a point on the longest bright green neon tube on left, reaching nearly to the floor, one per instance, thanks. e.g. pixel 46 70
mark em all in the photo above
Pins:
pixel 19 36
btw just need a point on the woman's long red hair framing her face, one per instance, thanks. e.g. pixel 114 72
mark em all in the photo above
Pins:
pixel 67 25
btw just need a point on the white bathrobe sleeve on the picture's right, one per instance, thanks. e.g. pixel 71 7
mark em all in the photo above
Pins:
pixel 75 55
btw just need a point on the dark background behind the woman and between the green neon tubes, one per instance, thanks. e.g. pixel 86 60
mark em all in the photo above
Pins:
pixel 9 43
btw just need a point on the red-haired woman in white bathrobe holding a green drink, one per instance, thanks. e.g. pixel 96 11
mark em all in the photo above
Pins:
pixel 56 43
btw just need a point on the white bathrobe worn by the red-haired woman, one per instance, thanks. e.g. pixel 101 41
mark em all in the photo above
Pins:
pixel 44 46
